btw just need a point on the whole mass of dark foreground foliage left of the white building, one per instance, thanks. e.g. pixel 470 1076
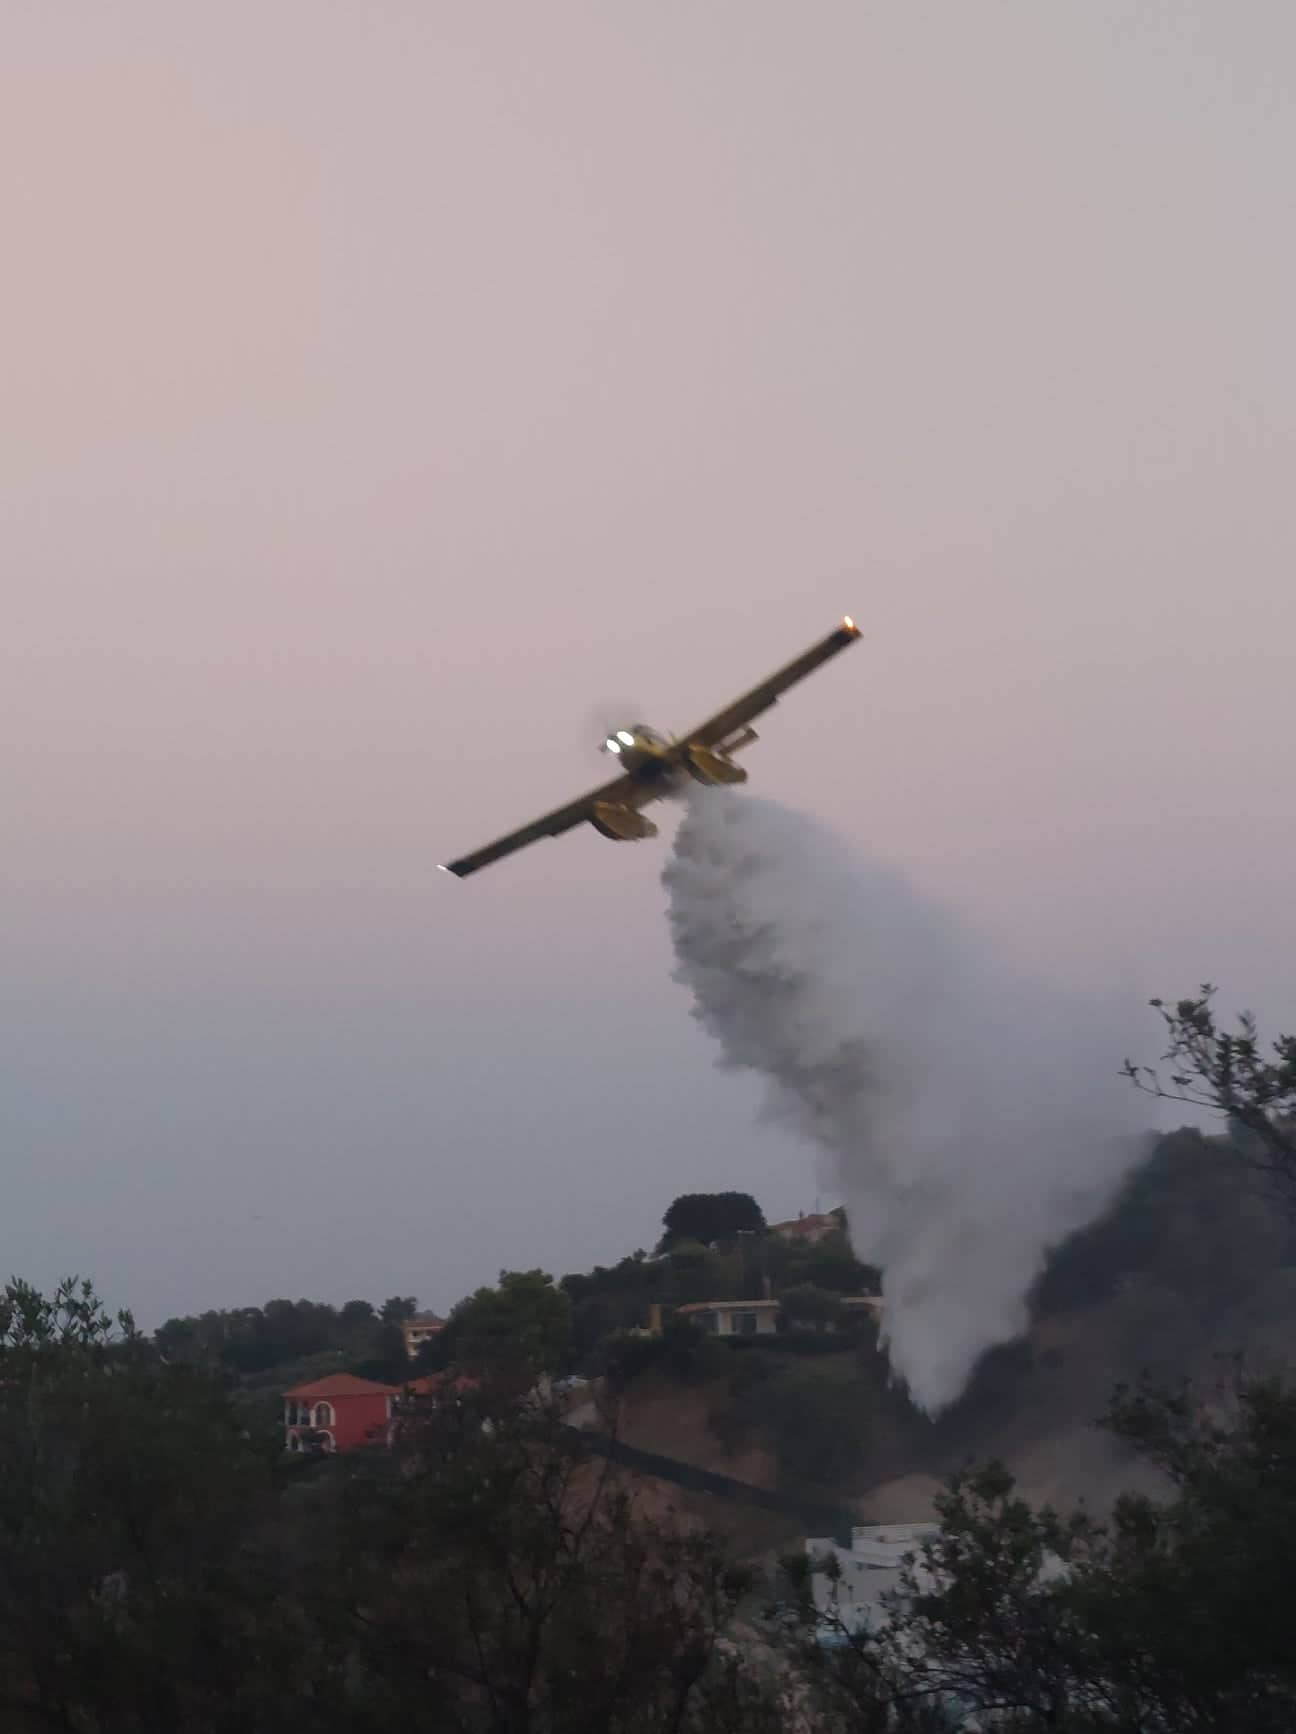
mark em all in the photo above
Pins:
pixel 159 1572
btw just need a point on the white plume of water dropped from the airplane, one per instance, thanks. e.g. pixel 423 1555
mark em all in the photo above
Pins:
pixel 967 1116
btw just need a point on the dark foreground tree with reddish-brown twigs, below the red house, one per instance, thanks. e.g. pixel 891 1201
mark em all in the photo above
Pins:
pixel 501 1582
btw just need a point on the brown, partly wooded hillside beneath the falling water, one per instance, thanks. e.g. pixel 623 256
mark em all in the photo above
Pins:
pixel 1188 1270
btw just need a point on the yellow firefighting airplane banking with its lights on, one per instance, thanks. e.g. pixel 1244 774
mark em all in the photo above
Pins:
pixel 651 766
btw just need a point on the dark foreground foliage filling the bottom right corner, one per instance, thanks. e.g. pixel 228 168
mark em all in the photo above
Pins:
pixel 1170 1617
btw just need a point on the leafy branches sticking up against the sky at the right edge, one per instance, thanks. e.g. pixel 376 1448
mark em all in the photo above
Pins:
pixel 1231 1072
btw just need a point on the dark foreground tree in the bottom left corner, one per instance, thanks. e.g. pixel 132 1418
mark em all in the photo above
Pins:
pixel 131 1506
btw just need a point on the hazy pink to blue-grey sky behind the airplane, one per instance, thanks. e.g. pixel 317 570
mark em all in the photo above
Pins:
pixel 384 388
